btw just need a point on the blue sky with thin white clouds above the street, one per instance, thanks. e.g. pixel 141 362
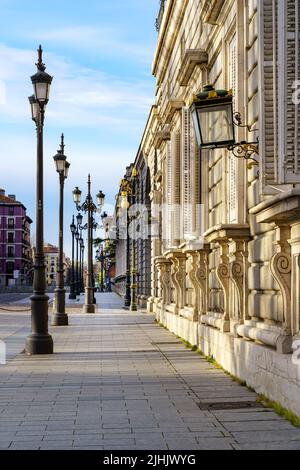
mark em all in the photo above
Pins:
pixel 100 54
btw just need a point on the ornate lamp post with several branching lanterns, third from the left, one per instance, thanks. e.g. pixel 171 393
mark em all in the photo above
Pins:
pixel 90 208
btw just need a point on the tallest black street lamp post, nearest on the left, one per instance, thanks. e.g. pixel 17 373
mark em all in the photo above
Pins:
pixel 39 341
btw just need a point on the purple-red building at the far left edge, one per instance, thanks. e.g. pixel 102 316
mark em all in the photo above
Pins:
pixel 15 244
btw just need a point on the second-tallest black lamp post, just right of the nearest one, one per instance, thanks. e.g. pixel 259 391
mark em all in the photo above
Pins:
pixel 60 318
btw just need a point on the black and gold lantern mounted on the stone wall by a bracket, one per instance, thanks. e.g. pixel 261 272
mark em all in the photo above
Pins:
pixel 215 121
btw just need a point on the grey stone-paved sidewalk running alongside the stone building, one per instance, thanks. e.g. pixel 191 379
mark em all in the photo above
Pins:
pixel 119 381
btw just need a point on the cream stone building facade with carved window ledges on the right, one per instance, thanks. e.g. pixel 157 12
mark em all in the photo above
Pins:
pixel 226 262
